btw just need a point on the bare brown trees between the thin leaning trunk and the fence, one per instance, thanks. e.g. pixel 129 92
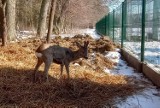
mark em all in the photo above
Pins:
pixel 77 13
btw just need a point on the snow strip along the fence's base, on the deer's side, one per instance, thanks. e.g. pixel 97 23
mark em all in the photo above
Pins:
pixel 149 98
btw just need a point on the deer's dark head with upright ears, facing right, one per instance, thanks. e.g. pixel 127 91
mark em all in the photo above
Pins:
pixel 83 49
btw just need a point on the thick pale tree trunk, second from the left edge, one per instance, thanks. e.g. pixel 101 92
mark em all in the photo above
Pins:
pixel 11 23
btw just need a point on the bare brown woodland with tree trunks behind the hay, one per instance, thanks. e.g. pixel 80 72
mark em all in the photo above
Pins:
pixel 47 16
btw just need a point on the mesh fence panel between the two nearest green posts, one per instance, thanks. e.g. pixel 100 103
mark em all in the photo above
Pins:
pixel 132 40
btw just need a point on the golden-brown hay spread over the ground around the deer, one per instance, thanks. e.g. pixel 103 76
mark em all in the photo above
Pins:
pixel 89 86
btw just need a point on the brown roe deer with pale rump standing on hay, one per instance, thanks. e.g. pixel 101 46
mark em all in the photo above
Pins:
pixel 60 55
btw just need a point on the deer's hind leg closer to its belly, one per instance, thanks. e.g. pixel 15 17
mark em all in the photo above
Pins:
pixel 48 62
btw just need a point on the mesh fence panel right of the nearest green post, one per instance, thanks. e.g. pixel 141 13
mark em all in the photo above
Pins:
pixel 152 34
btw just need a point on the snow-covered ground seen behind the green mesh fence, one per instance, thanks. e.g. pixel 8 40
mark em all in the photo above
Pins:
pixel 151 54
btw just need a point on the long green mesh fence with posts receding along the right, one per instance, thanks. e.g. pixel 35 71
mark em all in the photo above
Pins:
pixel 135 25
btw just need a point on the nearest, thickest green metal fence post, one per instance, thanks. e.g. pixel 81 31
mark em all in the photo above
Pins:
pixel 143 29
